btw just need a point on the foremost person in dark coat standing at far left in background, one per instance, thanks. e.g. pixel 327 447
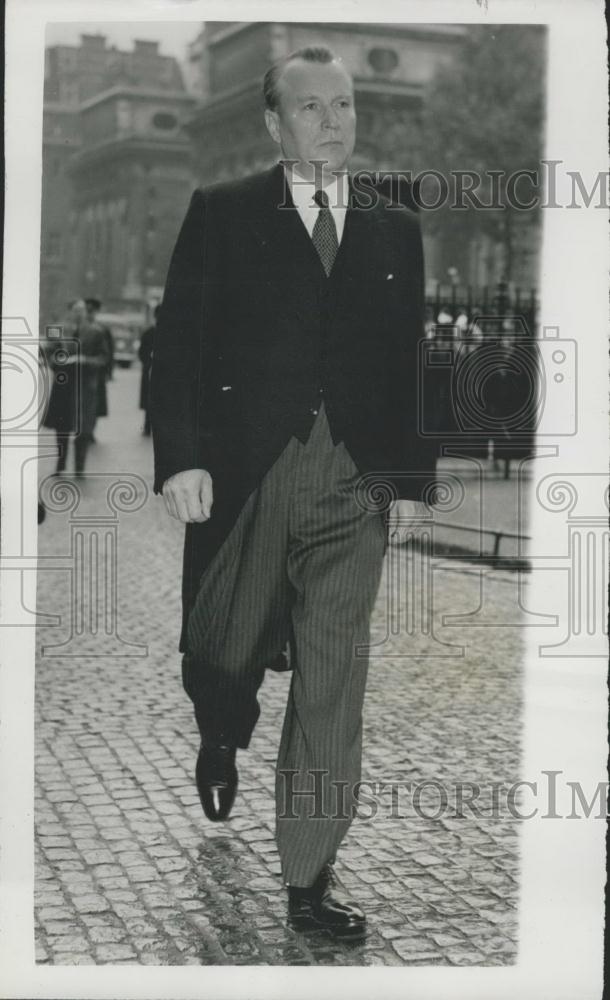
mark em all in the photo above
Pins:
pixel 74 395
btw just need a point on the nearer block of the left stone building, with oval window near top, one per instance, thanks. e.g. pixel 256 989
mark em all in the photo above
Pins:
pixel 131 182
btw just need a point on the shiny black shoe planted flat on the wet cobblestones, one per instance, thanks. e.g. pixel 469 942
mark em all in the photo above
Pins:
pixel 324 905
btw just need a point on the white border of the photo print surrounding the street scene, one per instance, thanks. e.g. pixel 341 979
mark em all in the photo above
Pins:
pixel 563 862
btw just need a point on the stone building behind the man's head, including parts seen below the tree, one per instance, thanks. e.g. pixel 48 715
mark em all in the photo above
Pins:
pixel 392 66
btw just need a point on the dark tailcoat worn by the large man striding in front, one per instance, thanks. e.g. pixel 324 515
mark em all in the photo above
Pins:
pixel 251 332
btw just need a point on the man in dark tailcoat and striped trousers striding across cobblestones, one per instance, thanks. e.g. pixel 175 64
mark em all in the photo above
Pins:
pixel 284 381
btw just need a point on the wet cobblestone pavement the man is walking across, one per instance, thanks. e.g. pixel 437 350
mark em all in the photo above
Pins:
pixel 129 870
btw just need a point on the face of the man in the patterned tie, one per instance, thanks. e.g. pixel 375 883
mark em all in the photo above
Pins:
pixel 316 119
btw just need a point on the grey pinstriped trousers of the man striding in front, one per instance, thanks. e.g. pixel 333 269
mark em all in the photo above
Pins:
pixel 302 564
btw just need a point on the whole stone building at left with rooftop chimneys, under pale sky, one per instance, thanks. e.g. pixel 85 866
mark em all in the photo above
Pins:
pixel 116 173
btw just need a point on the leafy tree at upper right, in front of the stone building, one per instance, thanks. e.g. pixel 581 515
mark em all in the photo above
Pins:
pixel 484 112
